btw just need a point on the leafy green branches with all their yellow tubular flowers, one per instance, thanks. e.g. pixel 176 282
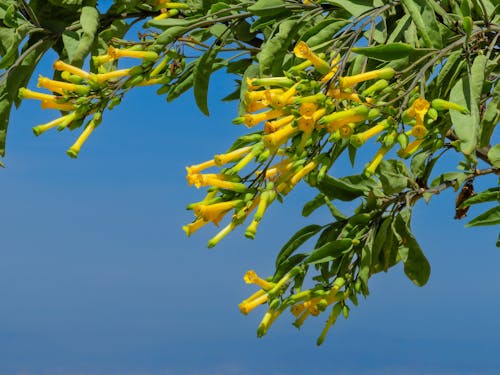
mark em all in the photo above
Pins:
pixel 417 78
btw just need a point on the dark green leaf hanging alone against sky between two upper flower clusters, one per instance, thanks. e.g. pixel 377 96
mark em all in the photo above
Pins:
pixel 202 72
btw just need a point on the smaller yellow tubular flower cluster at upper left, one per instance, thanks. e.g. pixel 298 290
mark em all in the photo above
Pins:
pixel 79 93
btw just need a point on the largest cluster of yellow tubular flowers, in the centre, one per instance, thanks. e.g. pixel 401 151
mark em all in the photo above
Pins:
pixel 302 112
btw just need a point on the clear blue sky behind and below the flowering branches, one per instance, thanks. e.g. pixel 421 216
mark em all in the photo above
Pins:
pixel 97 277
